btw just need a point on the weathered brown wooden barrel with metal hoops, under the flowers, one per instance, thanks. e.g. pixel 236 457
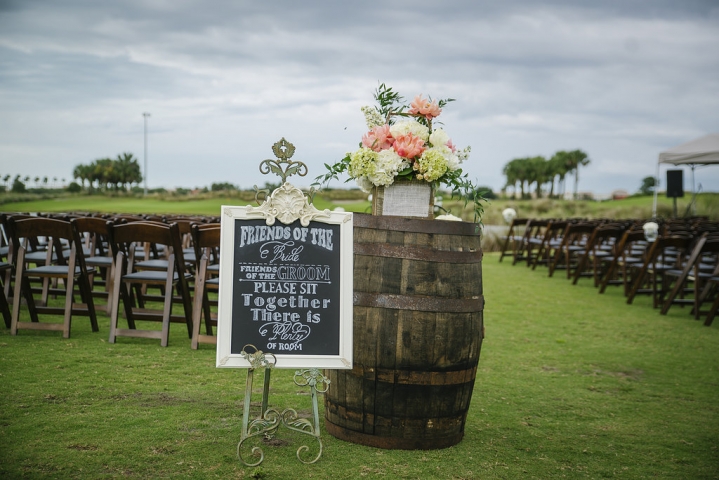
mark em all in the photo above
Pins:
pixel 418 332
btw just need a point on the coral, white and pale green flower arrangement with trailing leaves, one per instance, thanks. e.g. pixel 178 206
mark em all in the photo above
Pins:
pixel 401 144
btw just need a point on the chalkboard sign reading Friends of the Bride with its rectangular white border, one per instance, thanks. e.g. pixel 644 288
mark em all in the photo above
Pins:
pixel 286 289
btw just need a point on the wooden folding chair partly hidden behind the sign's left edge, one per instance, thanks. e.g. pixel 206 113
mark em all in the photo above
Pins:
pixel 206 241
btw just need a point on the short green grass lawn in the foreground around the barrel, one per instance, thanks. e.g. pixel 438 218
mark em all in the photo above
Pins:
pixel 571 384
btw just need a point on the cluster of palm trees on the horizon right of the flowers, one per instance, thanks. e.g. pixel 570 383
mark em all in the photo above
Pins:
pixel 540 171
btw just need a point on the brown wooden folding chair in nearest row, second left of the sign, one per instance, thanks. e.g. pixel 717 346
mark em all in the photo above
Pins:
pixel 123 240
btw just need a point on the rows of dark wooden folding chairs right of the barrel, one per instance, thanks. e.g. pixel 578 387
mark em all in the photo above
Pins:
pixel 679 267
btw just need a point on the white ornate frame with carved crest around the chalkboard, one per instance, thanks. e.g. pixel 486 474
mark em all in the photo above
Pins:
pixel 286 205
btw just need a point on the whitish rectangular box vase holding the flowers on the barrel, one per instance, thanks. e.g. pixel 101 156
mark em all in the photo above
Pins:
pixel 404 199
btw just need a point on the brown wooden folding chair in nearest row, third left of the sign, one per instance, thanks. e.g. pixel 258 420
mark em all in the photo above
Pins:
pixel 71 271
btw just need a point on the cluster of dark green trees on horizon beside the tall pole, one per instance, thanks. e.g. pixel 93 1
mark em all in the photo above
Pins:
pixel 107 173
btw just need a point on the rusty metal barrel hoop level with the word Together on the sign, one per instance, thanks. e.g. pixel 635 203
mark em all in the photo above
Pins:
pixel 419 303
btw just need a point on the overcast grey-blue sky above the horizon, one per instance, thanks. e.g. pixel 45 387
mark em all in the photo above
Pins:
pixel 224 80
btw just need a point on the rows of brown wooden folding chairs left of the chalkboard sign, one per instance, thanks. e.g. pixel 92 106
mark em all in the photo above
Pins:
pixel 123 259
